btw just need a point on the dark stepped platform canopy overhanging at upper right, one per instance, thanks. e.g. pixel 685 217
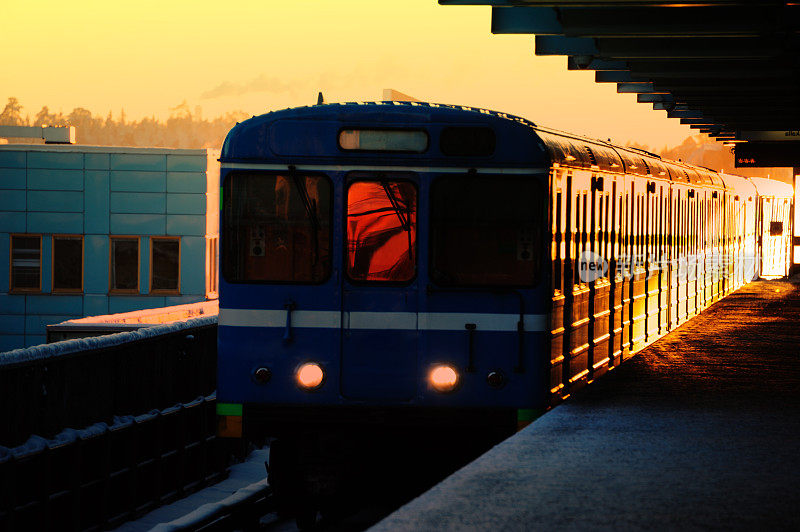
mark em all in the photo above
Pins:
pixel 726 67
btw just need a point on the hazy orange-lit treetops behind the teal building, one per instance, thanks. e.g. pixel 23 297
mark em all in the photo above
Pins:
pixel 183 129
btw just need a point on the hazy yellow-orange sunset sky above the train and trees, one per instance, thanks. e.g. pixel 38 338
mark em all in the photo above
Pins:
pixel 257 56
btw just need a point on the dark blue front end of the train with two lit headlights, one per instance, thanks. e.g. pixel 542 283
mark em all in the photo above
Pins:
pixel 384 275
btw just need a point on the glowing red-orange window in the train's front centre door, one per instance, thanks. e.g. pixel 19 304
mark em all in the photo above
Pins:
pixel 381 231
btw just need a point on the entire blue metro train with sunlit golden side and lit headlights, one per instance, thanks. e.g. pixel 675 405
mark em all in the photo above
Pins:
pixel 431 267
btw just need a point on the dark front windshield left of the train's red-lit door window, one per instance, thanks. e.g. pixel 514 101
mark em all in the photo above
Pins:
pixel 276 228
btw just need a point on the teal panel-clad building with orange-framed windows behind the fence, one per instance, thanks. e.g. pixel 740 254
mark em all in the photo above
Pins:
pixel 92 230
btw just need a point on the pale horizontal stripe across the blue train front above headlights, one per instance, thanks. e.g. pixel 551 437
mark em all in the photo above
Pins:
pixel 427 321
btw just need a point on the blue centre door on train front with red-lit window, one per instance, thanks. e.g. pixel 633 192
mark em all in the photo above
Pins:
pixel 379 288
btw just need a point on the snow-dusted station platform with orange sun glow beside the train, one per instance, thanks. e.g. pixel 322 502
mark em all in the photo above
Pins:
pixel 701 430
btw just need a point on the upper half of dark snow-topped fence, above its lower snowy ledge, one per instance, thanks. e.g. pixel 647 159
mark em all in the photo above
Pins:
pixel 76 383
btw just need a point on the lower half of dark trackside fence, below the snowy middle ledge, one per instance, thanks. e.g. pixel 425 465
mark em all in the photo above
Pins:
pixel 101 476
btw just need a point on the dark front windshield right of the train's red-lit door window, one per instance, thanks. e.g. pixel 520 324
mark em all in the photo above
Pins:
pixel 485 230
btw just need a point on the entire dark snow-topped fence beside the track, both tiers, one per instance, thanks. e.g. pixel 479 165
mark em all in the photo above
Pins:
pixel 122 463
